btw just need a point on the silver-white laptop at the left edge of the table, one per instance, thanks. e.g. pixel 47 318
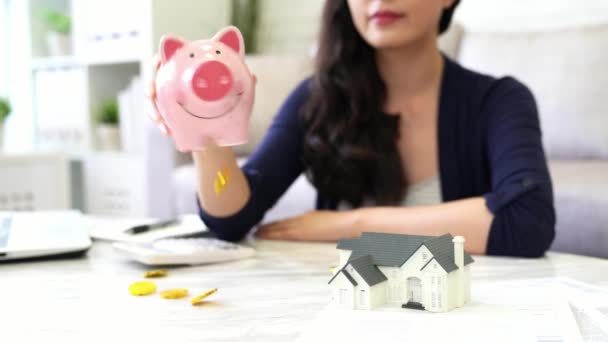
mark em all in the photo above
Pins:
pixel 42 233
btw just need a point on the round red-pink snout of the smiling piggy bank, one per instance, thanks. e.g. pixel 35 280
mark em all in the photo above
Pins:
pixel 211 81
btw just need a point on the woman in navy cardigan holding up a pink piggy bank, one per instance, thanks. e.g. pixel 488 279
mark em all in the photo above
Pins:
pixel 398 138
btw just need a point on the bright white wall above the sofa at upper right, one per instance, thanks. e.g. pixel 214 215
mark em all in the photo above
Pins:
pixel 530 14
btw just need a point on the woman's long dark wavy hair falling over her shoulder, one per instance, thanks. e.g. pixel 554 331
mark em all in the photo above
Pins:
pixel 350 146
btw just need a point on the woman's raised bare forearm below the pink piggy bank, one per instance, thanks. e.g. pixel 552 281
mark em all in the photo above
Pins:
pixel 222 187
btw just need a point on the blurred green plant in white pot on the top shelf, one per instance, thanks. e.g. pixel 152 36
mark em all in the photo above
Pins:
pixel 59 26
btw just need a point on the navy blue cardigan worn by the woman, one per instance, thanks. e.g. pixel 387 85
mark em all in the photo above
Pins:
pixel 489 145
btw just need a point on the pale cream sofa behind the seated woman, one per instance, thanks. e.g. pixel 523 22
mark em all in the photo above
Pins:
pixel 563 66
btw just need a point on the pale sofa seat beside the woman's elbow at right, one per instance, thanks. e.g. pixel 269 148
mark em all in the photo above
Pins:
pixel 581 203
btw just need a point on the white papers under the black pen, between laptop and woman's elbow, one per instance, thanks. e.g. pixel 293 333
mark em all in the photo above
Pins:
pixel 113 229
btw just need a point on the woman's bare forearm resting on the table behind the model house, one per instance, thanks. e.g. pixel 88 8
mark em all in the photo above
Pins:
pixel 469 218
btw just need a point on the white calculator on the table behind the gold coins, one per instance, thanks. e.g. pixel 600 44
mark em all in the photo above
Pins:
pixel 184 251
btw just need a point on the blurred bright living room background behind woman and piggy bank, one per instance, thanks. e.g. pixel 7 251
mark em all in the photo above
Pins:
pixel 74 131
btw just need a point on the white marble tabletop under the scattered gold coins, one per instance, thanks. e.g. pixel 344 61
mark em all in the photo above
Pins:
pixel 267 298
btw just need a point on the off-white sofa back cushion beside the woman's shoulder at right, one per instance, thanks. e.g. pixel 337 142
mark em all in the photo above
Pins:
pixel 564 67
